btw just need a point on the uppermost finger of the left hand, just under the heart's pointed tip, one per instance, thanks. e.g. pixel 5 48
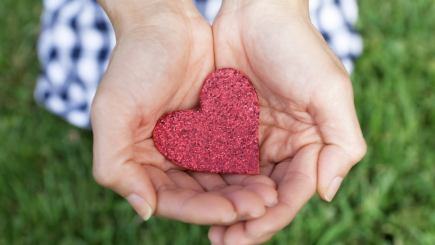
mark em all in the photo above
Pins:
pixel 261 185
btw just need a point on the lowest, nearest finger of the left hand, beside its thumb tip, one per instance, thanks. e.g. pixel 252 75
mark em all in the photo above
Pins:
pixel 189 206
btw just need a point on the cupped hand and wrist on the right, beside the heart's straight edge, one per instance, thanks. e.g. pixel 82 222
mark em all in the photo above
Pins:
pixel 309 133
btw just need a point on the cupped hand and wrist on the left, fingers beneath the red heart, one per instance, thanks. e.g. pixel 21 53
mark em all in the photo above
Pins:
pixel 164 52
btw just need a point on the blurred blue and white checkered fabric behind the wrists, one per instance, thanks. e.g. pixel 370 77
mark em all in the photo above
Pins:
pixel 77 38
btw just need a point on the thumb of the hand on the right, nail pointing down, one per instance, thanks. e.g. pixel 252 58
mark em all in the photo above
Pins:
pixel 335 114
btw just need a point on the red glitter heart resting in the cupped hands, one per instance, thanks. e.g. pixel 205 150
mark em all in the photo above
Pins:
pixel 222 136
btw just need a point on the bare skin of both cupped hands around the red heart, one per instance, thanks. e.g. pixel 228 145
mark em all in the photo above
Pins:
pixel 309 132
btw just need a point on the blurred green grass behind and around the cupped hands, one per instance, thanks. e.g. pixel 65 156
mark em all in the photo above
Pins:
pixel 48 195
